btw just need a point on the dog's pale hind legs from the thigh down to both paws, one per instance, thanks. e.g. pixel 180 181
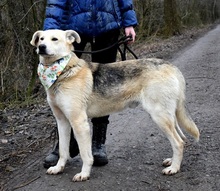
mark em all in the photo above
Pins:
pixel 164 116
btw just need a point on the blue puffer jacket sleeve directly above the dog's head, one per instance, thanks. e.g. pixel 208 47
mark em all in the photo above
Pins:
pixel 55 12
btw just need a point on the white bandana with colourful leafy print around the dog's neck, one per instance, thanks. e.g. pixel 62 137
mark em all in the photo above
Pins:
pixel 49 74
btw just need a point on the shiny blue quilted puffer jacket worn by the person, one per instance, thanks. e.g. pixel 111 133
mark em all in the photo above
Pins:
pixel 89 17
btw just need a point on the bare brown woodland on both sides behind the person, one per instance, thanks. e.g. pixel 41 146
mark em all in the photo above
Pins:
pixel 21 18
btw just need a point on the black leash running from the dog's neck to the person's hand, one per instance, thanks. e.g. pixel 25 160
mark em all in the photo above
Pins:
pixel 122 41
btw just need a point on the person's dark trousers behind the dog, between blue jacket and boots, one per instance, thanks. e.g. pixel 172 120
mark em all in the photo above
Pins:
pixel 98 43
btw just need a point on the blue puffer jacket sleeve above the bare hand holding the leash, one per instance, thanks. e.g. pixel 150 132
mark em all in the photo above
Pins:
pixel 128 14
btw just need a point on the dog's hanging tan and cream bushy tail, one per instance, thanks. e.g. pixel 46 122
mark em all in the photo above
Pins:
pixel 183 117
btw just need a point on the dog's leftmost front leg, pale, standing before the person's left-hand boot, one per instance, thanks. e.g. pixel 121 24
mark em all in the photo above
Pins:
pixel 64 131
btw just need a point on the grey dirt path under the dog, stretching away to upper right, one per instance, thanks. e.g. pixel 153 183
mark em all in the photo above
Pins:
pixel 136 147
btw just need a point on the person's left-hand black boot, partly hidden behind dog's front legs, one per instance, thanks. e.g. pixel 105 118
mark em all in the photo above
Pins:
pixel 53 157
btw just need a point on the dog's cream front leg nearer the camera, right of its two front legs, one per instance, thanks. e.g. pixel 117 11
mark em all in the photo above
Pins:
pixel 82 134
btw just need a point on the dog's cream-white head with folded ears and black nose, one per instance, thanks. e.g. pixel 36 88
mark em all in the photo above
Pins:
pixel 54 44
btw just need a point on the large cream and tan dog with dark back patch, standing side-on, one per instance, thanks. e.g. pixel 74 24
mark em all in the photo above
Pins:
pixel 82 90
